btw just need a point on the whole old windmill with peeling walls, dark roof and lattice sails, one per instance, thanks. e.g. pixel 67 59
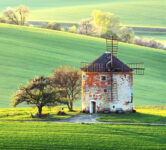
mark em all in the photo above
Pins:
pixel 107 83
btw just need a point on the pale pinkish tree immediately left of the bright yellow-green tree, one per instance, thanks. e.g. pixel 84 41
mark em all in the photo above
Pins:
pixel 86 26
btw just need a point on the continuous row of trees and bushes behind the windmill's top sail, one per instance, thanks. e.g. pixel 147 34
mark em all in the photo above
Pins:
pixel 106 25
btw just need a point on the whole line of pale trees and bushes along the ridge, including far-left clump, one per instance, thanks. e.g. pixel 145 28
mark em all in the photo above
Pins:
pixel 100 24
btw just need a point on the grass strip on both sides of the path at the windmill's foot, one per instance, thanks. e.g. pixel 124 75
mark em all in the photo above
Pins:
pixel 144 114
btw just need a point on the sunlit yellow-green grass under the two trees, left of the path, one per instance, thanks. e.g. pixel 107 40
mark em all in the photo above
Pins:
pixel 25 114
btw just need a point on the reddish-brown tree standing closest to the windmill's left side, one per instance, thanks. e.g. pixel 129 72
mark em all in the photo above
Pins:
pixel 70 80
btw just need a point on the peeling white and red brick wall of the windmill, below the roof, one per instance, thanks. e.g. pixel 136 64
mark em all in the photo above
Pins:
pixel 93 89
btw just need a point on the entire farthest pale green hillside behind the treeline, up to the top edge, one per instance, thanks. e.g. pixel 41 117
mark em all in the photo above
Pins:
pixel 132 12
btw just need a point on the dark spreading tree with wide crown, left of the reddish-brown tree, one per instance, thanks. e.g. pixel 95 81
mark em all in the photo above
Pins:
pixel 38 92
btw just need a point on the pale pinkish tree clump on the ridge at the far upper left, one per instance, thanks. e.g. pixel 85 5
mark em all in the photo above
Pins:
pixel 16 16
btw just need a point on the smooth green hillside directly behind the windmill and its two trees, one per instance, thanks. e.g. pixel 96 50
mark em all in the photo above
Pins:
pixel 28 52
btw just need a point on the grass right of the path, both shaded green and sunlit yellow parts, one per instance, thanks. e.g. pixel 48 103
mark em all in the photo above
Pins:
pixel 144 114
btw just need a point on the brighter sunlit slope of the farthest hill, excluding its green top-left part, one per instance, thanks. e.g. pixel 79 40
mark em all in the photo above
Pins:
pixel 139 13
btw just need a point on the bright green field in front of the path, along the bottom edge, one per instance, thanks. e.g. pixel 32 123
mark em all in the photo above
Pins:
pixel 31 136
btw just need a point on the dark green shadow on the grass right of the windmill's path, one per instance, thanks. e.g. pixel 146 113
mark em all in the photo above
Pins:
pixel 133 118
